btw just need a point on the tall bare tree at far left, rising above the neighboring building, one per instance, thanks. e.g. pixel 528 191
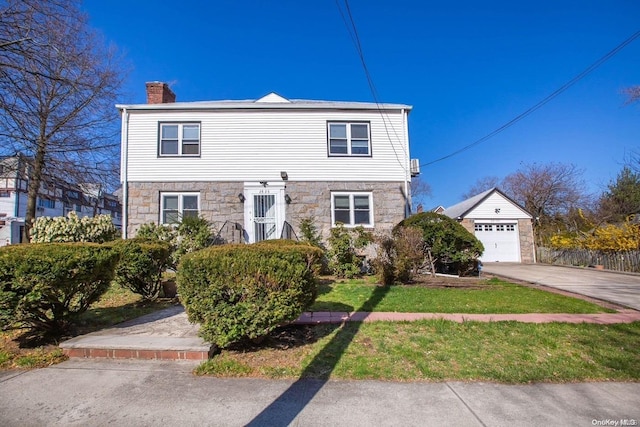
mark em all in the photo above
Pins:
pixel 58 84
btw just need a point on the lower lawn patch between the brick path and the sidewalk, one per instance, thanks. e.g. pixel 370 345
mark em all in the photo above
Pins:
pixel 440 350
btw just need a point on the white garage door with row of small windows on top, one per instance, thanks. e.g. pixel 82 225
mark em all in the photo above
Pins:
pixel 500 242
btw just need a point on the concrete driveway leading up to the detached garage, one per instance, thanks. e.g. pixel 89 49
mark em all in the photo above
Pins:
pixel 619 288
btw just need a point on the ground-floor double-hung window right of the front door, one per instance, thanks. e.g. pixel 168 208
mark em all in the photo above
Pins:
pixel 352 209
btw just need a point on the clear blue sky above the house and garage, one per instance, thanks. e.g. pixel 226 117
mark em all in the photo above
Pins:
pixel 467 67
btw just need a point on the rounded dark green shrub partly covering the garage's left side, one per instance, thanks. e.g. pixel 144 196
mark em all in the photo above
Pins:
pixel 451 245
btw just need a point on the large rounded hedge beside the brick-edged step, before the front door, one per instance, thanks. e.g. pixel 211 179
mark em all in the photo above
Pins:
pixel 245 291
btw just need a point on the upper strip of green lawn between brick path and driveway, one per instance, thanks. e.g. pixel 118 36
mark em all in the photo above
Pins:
pixel 485 296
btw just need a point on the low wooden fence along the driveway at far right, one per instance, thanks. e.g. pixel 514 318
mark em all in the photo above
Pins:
pixel 620 261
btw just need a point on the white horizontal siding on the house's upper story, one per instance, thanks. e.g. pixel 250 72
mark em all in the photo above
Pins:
pixel 256 145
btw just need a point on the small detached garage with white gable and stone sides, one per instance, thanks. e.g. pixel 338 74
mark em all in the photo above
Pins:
pixel 504 227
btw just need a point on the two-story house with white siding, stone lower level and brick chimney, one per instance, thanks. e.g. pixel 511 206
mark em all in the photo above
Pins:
pixel 263 165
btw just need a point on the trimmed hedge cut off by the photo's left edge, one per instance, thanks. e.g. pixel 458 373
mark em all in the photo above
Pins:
pixel 46 286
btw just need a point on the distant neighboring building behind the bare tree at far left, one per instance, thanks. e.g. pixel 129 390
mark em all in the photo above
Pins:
pixel 55 198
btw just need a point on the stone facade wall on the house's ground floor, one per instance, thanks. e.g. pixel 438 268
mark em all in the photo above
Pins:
pixel 219 202
